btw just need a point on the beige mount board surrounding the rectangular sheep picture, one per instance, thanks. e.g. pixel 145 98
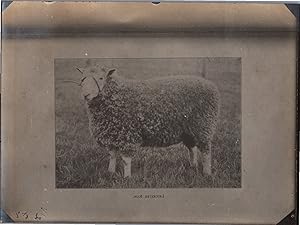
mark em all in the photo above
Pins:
pixel 260 34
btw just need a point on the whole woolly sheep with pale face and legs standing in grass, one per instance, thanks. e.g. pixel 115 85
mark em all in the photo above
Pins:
pixel 125 115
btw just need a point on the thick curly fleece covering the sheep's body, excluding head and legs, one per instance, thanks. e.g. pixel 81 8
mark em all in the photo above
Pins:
pixel 154 112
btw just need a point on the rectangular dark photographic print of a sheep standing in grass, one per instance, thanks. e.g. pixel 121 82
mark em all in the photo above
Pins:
pixel 148 122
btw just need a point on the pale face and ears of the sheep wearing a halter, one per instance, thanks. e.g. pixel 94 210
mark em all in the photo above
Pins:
pixel 94 80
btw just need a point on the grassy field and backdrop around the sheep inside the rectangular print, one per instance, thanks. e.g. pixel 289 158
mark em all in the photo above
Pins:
pixel 80 163
